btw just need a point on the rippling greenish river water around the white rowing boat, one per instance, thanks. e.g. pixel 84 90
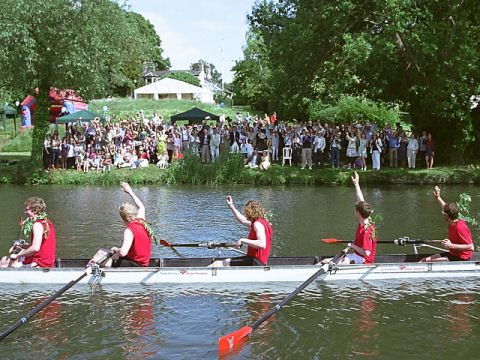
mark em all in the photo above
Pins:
pixel 390 319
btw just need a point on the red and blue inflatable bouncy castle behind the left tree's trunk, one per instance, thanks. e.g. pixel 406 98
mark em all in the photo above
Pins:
pixel 67 99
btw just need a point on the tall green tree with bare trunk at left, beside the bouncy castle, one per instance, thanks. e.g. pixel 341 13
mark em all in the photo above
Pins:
pixel 85 45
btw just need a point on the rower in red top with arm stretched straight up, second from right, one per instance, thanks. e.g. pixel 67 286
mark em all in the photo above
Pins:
pixel 365 243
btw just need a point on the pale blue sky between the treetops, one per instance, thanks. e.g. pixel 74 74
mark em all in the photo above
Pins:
pixel 192 30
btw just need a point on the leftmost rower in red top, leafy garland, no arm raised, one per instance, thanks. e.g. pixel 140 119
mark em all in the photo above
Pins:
pixel 41 250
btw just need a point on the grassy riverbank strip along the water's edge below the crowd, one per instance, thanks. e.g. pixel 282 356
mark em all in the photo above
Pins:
pixel 229 170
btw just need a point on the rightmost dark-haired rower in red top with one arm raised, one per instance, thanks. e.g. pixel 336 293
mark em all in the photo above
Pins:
pixel 459 242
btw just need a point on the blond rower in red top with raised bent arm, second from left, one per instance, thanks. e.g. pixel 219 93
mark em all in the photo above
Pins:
pixel 136 247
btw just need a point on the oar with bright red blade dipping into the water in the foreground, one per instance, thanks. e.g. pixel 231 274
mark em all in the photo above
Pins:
pixel 227 342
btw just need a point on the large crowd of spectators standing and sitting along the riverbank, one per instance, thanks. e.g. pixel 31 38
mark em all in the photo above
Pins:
pixel 140 141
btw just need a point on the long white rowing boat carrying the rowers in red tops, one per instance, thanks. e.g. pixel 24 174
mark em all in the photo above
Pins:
pixel 278 269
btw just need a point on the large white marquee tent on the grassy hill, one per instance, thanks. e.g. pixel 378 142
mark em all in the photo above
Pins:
pixel 168 88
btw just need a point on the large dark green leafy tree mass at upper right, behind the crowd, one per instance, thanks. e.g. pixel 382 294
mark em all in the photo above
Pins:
pixel 422 55
